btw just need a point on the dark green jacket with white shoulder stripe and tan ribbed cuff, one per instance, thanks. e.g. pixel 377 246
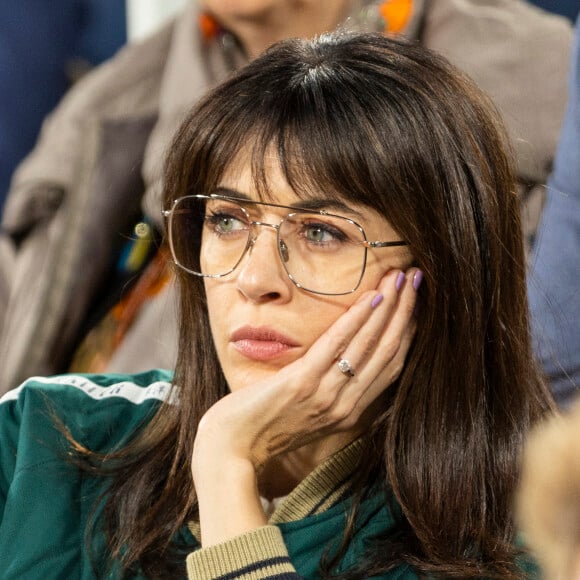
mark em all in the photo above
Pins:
pixel 46 501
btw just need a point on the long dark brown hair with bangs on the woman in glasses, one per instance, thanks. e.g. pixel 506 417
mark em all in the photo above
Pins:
pixel 391 125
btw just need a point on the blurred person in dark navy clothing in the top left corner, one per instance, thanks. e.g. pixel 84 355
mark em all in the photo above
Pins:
pixel 44 48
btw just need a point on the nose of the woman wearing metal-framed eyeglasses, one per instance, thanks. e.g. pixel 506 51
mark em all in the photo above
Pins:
pixel 261 277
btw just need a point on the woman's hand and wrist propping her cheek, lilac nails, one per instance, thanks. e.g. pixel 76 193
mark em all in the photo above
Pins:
pixel 307 400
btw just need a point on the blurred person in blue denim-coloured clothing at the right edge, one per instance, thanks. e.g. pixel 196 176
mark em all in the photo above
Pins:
pixel 554 276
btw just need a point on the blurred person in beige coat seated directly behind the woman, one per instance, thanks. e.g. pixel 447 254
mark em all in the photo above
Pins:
pixel 88 284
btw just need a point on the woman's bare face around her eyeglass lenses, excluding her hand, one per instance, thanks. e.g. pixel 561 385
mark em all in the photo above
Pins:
pixel 260 320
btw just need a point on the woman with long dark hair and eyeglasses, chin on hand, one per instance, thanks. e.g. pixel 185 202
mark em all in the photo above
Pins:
pixel 354 377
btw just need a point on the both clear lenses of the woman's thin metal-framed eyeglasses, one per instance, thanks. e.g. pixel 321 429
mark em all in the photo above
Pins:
pixel 320 253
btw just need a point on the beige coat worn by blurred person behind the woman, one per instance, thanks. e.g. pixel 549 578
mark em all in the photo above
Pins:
pixel 98 164
